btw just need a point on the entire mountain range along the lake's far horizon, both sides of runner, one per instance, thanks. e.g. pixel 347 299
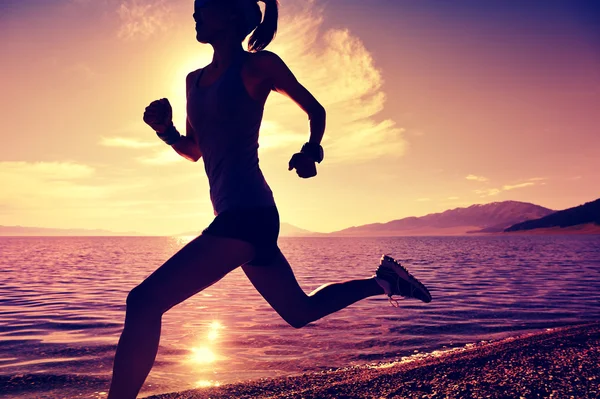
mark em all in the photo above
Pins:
pixel 495 217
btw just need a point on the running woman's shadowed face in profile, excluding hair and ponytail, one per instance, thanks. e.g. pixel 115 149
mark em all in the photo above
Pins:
pixel 212 18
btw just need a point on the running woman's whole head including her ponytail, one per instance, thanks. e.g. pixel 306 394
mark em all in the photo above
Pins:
pixel 216 18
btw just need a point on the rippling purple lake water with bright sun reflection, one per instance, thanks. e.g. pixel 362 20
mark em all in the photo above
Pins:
pixel 62 307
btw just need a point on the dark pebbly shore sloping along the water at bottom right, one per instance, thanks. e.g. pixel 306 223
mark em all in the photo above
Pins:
pixel 557 363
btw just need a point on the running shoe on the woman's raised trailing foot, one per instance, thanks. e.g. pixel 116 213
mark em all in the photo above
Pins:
pixel 396 280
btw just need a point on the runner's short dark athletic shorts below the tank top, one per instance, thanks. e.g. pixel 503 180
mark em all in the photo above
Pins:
pixel 259 226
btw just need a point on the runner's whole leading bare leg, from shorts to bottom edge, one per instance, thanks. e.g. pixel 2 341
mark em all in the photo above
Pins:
pixel 199 264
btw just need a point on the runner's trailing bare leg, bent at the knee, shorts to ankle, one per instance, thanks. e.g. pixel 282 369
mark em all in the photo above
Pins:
pixel 277 284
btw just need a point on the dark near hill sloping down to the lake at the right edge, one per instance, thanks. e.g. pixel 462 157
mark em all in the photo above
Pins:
pixel 588 213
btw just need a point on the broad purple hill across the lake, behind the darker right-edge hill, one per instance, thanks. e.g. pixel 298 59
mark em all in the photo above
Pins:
pixel 479 218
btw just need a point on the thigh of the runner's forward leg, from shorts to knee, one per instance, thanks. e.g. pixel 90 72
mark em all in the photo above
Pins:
pixel 199 264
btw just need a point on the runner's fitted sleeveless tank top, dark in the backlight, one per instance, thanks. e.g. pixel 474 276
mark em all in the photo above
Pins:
pixel 227 123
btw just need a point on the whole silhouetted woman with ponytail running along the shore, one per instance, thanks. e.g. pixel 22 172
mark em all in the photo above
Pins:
pixel 225 102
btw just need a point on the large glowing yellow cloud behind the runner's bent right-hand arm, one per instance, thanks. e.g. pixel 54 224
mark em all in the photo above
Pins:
pixel 337 68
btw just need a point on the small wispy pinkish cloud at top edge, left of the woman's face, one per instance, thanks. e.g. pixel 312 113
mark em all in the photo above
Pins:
pixel 140 19
